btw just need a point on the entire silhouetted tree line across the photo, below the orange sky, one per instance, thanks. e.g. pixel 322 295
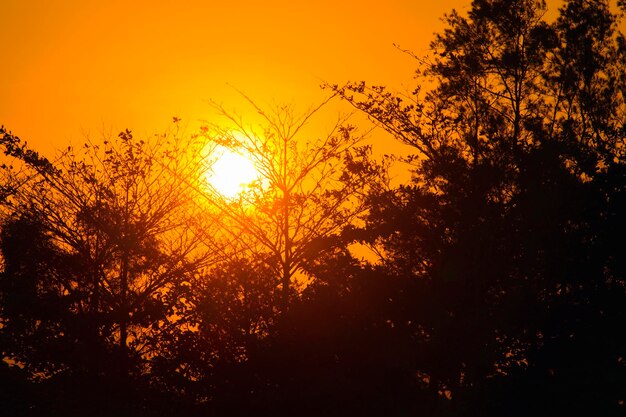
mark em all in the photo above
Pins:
pixel 498 289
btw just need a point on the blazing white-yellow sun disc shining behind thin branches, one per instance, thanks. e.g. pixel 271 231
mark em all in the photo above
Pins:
pixel 231 172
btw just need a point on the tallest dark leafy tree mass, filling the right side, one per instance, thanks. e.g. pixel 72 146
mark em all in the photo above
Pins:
pixel 499 228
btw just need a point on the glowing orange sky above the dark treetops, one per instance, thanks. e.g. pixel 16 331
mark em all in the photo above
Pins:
pixel 82 67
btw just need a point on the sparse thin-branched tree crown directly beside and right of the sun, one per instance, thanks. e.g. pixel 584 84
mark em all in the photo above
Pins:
pixel 309 187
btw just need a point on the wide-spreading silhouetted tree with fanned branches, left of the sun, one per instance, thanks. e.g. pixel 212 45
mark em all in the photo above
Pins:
pixel 103 243
